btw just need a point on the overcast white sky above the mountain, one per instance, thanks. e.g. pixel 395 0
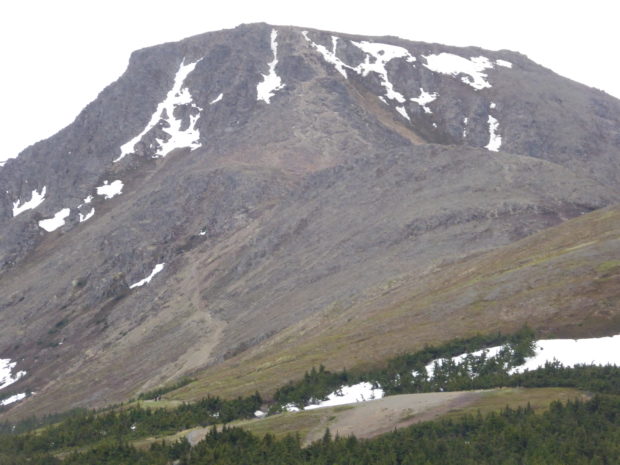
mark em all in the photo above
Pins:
pixel 58 55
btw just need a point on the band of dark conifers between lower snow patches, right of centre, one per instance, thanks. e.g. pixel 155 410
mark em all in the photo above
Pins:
pixel 406 374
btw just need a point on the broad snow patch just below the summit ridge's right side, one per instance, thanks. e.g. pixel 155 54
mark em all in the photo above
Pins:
pixel 473 68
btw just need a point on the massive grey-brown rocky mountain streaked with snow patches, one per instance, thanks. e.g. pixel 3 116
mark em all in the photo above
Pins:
pixel 246 187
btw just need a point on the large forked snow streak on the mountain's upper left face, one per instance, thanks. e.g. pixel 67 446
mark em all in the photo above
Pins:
pixel 178 95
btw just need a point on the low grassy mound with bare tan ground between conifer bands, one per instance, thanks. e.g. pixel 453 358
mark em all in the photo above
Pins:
pixel 370 419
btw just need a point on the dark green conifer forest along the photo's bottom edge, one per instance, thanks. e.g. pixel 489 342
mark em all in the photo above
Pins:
pixel 573 433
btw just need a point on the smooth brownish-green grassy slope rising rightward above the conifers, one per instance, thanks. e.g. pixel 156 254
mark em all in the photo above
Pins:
pixel 563 281
